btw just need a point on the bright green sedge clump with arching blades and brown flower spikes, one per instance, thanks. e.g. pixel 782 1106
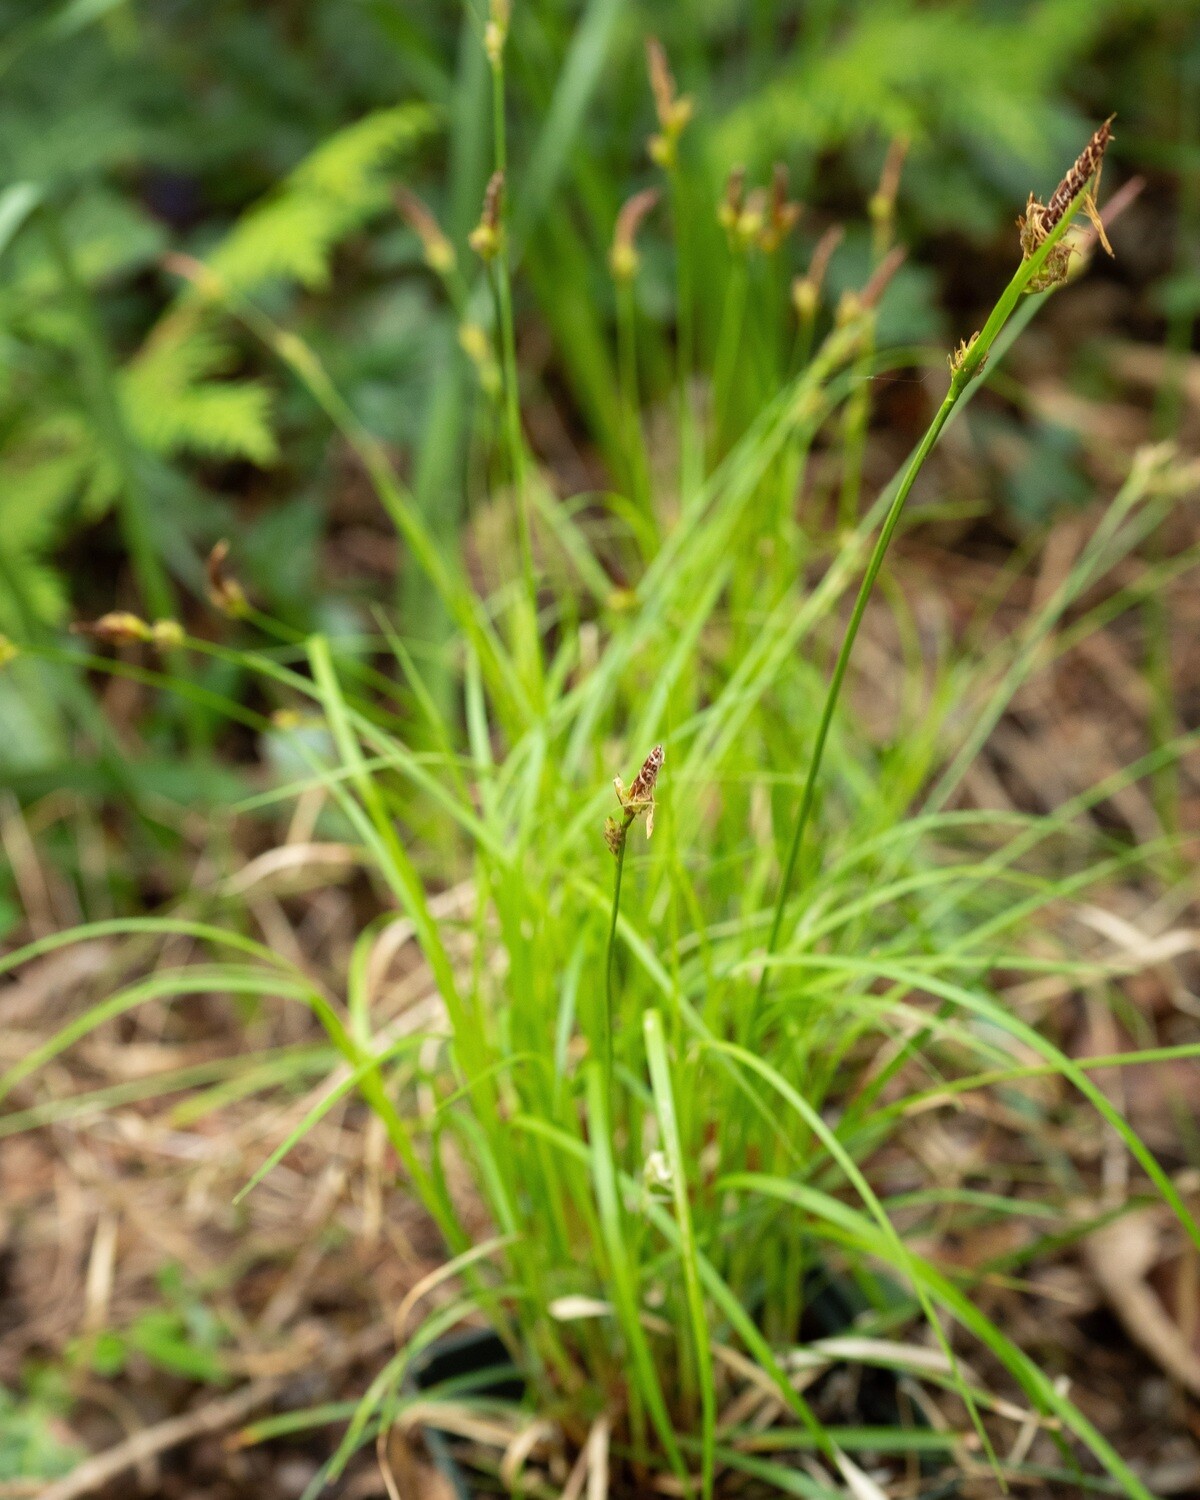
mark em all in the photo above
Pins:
pixel 676 1078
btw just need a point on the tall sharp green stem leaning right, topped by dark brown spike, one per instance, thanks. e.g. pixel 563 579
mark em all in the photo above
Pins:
pixel 964 370
